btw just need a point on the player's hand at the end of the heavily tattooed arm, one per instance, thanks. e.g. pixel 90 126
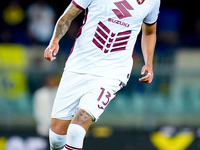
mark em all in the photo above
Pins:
pixel 51 51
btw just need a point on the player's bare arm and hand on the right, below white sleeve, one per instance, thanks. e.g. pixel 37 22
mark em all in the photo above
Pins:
pixel 148 46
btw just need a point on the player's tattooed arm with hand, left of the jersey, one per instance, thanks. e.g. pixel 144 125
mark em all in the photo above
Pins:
pixel 60 30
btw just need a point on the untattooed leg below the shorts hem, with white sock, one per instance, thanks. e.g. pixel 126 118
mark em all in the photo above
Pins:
pixel 57 133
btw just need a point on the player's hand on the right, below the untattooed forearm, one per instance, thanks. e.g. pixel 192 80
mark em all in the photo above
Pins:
pixel 147 73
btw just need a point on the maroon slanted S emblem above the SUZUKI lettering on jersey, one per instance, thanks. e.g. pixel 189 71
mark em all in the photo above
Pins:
pixel 123 9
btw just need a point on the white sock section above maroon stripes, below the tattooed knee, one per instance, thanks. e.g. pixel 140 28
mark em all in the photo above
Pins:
pixel 75 135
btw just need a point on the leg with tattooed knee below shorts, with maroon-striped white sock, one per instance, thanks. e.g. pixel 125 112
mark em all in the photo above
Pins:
pixel 77 130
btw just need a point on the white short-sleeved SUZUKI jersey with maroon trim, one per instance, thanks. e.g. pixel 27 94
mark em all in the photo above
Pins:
pixel 104 45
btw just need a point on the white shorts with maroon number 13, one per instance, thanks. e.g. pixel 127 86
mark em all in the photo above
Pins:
pixel 89 92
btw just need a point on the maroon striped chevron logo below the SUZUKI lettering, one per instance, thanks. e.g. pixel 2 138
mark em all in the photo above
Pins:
pixel 109 41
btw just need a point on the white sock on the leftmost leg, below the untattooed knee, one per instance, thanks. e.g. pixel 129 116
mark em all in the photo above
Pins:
pixel 56 141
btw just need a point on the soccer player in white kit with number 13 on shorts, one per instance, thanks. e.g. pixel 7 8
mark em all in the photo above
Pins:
pixel 100 62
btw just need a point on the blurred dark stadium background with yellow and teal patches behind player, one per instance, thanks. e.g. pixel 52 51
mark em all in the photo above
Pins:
pixel 162 116
